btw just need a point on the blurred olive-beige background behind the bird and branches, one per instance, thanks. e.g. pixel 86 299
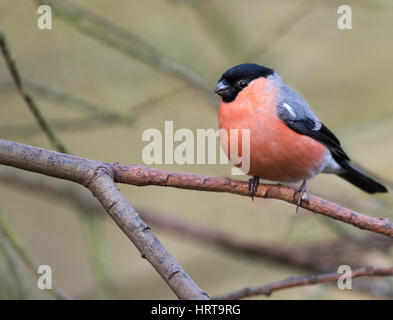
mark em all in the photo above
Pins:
pixel 346 76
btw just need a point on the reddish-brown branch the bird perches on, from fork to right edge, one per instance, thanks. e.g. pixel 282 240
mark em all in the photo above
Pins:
pixel 142 176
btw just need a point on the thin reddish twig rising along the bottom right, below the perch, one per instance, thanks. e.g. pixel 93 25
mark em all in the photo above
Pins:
pixel 267 290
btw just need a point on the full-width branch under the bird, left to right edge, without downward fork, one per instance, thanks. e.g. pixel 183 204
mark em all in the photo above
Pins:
pixel 77 169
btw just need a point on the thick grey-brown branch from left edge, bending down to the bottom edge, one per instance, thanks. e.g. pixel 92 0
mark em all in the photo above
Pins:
pixel 98 178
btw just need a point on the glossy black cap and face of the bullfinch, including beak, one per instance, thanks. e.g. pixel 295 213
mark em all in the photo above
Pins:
pixel 237 78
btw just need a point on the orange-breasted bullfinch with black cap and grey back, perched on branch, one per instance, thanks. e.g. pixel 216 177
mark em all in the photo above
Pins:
pixel 288 143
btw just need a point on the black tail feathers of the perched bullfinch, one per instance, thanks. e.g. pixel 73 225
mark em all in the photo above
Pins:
pixel 361 180
